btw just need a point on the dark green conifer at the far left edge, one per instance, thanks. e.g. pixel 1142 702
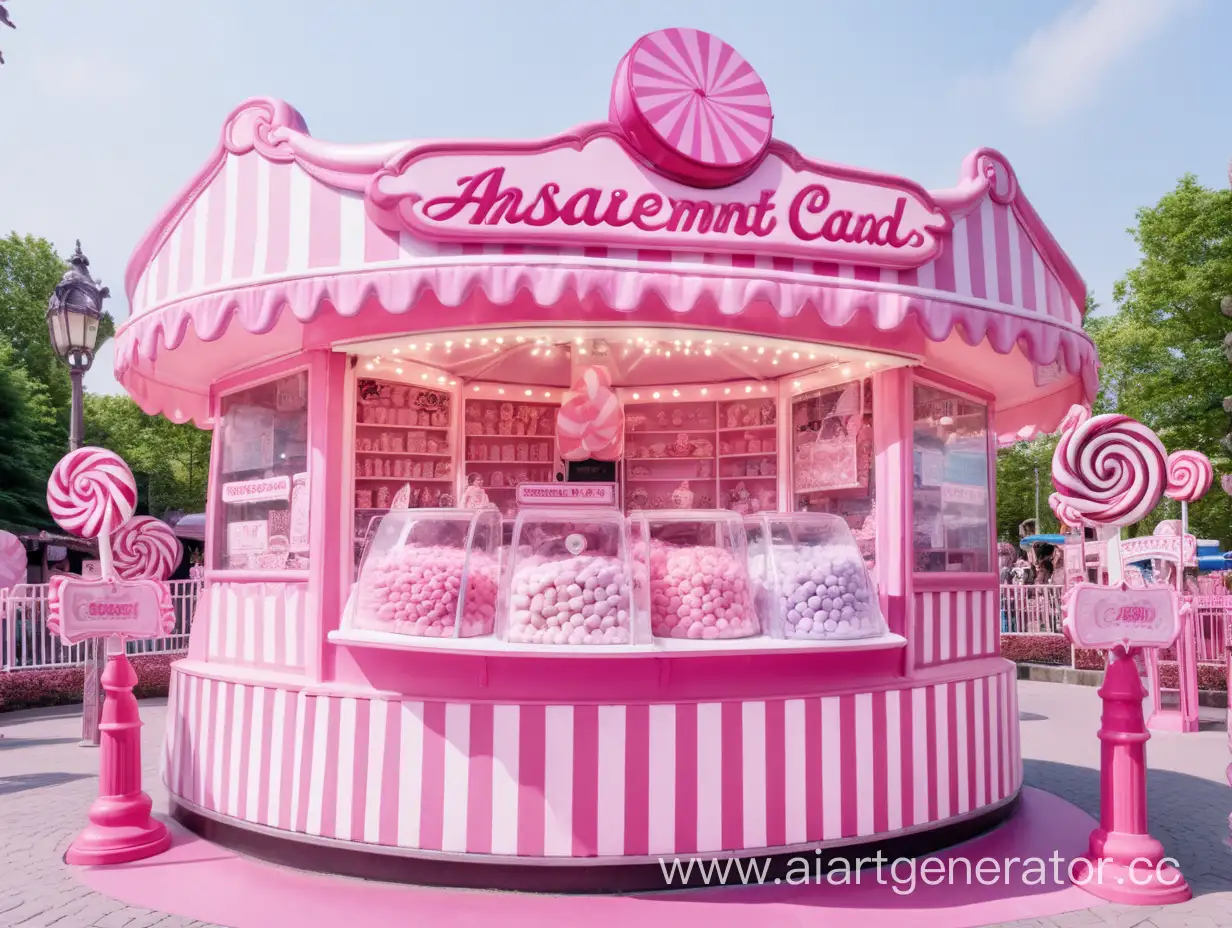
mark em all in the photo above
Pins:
pixel 29 437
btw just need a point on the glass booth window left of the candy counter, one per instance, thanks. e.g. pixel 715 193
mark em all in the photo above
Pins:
pixel 263 478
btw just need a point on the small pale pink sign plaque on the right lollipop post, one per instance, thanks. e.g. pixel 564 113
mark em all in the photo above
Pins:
pixel 1098 617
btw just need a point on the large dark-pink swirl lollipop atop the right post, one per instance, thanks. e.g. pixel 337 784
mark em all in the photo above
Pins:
pixel 1109 469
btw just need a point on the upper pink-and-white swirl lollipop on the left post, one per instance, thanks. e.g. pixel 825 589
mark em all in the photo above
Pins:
pixel 92 492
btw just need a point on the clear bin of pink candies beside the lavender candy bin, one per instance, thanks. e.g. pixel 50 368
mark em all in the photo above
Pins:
pixel 692 571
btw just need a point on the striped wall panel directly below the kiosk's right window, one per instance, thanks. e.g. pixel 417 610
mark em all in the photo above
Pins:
pixel 955 625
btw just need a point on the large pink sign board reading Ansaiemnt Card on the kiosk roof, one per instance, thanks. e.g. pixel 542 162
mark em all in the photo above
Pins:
pixel 592 192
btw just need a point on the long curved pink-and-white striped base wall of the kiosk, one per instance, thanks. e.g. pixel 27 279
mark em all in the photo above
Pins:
pixel 593 781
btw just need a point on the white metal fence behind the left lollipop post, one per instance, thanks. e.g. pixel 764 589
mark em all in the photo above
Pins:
pixel 26 644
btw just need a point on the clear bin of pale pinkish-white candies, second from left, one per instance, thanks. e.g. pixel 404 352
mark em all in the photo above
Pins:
pixel 567 580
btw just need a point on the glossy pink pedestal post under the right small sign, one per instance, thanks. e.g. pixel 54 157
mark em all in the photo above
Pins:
pixel 1124 863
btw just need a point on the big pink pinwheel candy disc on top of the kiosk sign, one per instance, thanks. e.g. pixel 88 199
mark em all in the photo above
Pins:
pixel 693 107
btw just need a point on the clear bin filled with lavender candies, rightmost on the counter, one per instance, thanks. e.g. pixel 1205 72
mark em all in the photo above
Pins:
pixel 809 579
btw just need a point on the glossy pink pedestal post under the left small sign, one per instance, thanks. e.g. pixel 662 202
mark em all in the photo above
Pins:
pixel 121 828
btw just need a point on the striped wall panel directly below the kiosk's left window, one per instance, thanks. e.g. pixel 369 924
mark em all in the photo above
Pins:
pixel 257 624
